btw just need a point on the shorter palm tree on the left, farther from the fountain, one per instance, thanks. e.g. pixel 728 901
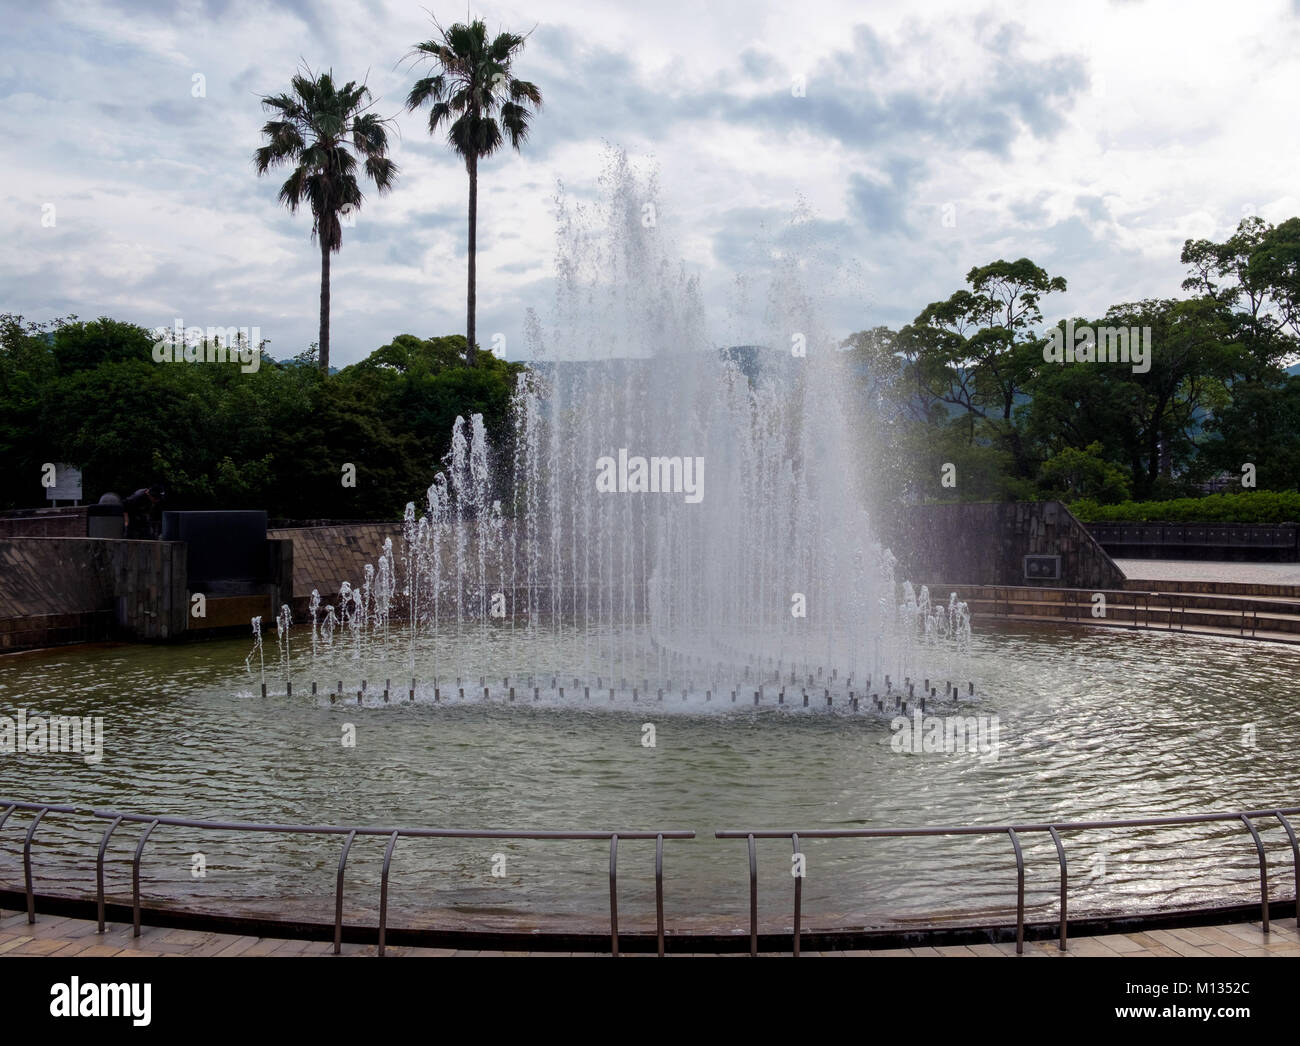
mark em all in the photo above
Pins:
pixel 315 131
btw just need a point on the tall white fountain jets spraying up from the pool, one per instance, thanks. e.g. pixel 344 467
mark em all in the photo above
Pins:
pixel 662 515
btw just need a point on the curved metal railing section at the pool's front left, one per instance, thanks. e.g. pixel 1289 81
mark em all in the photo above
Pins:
pixel 350 835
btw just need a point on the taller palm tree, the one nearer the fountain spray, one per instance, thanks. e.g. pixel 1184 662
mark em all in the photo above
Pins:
pixel 473 85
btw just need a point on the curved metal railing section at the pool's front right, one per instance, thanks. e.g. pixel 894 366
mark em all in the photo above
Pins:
pixel 1013 834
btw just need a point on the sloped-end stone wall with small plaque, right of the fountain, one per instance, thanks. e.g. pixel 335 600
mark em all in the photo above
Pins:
pixel 986 544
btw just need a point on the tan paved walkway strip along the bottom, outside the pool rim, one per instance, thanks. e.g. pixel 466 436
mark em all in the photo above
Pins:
pixel 68 938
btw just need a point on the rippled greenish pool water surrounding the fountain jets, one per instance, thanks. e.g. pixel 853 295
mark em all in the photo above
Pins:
pixel 1093 724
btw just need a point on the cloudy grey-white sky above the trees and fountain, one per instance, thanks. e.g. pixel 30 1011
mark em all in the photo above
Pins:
pixel 928 138
